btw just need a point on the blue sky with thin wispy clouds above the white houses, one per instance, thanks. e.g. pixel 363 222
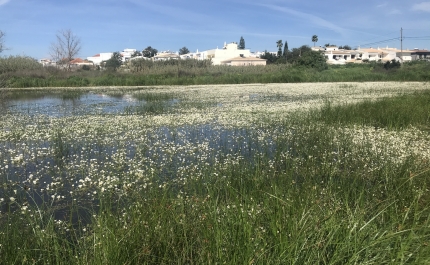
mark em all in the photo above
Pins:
pixel 112 25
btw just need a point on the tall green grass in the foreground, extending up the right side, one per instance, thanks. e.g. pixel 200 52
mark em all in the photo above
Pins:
pixel 308 202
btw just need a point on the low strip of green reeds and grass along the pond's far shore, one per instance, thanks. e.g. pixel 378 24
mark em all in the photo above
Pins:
pixel 189 74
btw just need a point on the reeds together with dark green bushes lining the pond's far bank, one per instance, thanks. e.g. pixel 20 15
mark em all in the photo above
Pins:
pixel 303 65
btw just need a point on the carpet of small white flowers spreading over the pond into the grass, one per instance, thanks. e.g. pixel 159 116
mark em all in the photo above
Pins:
pixel 245 156
